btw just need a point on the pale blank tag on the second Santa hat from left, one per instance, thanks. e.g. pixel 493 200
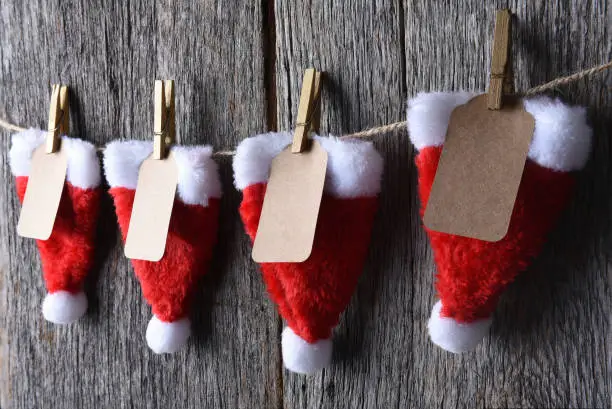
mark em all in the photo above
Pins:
pixel 150 219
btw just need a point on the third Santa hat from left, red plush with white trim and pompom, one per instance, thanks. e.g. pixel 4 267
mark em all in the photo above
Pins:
pixel 311 295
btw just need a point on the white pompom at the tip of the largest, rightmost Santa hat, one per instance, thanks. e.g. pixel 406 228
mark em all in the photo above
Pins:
pixel 453 336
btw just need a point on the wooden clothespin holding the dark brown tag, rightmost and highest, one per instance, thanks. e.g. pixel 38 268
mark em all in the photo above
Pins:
pixel 501 81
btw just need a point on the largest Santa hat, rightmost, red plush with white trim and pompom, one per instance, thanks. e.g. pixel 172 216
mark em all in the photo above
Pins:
pixel 473 273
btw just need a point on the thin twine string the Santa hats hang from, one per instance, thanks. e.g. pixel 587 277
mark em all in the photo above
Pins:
pixel 399 126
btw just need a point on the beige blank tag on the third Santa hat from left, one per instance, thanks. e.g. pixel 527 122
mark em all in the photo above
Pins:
pixel 291 206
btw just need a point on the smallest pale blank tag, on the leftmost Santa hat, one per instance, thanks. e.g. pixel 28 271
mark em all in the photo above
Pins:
pixel 43 194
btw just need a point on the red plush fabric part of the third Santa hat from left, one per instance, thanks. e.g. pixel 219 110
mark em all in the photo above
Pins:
pixel 311 295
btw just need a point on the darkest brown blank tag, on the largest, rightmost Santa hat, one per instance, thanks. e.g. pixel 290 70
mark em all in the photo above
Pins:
pixel 480 170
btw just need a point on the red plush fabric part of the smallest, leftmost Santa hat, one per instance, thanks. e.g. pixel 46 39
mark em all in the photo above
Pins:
pixel 67 255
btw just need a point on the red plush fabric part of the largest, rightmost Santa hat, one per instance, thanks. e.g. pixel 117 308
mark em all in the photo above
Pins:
pixel 473 273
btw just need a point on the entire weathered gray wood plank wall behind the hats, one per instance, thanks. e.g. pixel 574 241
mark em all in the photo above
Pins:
pixel 238 70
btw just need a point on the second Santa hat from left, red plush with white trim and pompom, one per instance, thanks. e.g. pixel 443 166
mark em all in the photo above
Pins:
pixel 169 283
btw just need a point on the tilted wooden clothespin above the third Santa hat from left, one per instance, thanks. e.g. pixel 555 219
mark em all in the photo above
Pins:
pixel 309 111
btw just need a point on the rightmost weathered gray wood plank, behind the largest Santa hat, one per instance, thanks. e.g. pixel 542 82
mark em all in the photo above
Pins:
pixel 549 334
